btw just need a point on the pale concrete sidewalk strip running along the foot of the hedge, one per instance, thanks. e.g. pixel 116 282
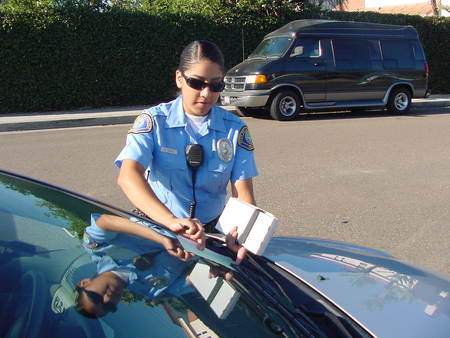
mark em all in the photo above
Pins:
pixel 125 115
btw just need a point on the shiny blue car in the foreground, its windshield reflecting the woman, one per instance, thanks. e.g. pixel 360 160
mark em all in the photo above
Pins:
pixel 301 287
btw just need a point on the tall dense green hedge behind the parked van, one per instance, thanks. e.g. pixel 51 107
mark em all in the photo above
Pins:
pixel 54 59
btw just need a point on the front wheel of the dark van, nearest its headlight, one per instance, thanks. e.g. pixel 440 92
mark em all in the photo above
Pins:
pixel 285 106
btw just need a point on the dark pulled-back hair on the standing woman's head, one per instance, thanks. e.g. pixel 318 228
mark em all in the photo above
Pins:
pixel 198 50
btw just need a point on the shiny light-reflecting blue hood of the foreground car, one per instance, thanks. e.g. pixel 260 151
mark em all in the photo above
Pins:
pixel 387 297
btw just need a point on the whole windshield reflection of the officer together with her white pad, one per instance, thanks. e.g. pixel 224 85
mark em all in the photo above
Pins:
pixel 197 297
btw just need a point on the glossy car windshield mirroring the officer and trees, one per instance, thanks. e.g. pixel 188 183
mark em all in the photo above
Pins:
pixel 60 267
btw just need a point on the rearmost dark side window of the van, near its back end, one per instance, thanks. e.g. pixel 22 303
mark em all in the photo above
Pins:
pixel 397 54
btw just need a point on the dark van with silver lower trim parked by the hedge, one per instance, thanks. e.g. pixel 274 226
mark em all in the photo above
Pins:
pixel 310 65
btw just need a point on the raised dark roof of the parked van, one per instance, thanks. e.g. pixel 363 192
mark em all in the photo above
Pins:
pixel 343 28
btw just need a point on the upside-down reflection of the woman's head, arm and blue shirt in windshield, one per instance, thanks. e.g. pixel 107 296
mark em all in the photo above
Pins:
pixel 130 255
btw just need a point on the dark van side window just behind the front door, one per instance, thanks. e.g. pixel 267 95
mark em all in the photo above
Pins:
pixel 351 54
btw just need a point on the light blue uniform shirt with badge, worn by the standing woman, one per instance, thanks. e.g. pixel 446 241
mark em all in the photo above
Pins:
pixel 158 140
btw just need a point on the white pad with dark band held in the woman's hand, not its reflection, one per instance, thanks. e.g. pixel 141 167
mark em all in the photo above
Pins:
pixel 255 225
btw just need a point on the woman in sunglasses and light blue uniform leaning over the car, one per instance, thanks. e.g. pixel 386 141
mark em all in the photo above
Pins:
pixel 157 142
